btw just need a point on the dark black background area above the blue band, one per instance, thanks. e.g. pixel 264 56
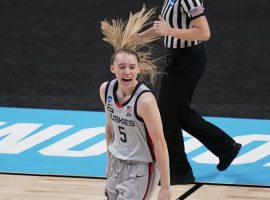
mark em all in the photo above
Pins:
pixel 52 55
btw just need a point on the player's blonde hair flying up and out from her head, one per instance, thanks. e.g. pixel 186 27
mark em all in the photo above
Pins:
pixel 121 35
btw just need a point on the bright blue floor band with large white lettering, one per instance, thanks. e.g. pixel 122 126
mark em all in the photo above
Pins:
pixel 72 143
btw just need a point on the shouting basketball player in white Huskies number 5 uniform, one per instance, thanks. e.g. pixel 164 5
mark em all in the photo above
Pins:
pixel 137 151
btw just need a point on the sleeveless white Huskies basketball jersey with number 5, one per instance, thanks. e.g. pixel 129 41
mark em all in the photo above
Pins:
pixel 130 138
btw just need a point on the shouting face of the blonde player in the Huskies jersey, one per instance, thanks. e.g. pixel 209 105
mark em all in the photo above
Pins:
pixel 126 69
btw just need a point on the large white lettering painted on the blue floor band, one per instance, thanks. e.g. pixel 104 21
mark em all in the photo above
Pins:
pixel 19 137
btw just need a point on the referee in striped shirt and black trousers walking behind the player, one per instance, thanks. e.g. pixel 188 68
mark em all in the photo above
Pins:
pixel 184 26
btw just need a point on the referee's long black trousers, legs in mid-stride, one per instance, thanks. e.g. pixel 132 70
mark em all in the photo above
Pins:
pixel 184 70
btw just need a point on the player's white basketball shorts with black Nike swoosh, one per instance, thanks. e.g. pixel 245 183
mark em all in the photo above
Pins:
pixel 131 180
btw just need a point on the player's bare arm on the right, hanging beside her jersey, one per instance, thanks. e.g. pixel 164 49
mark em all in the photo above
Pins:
pixel 148 110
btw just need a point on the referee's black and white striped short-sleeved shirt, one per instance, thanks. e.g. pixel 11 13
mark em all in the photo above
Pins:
pixel 179 14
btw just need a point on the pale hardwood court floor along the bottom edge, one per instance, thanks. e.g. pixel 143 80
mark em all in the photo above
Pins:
pixel 23 187
